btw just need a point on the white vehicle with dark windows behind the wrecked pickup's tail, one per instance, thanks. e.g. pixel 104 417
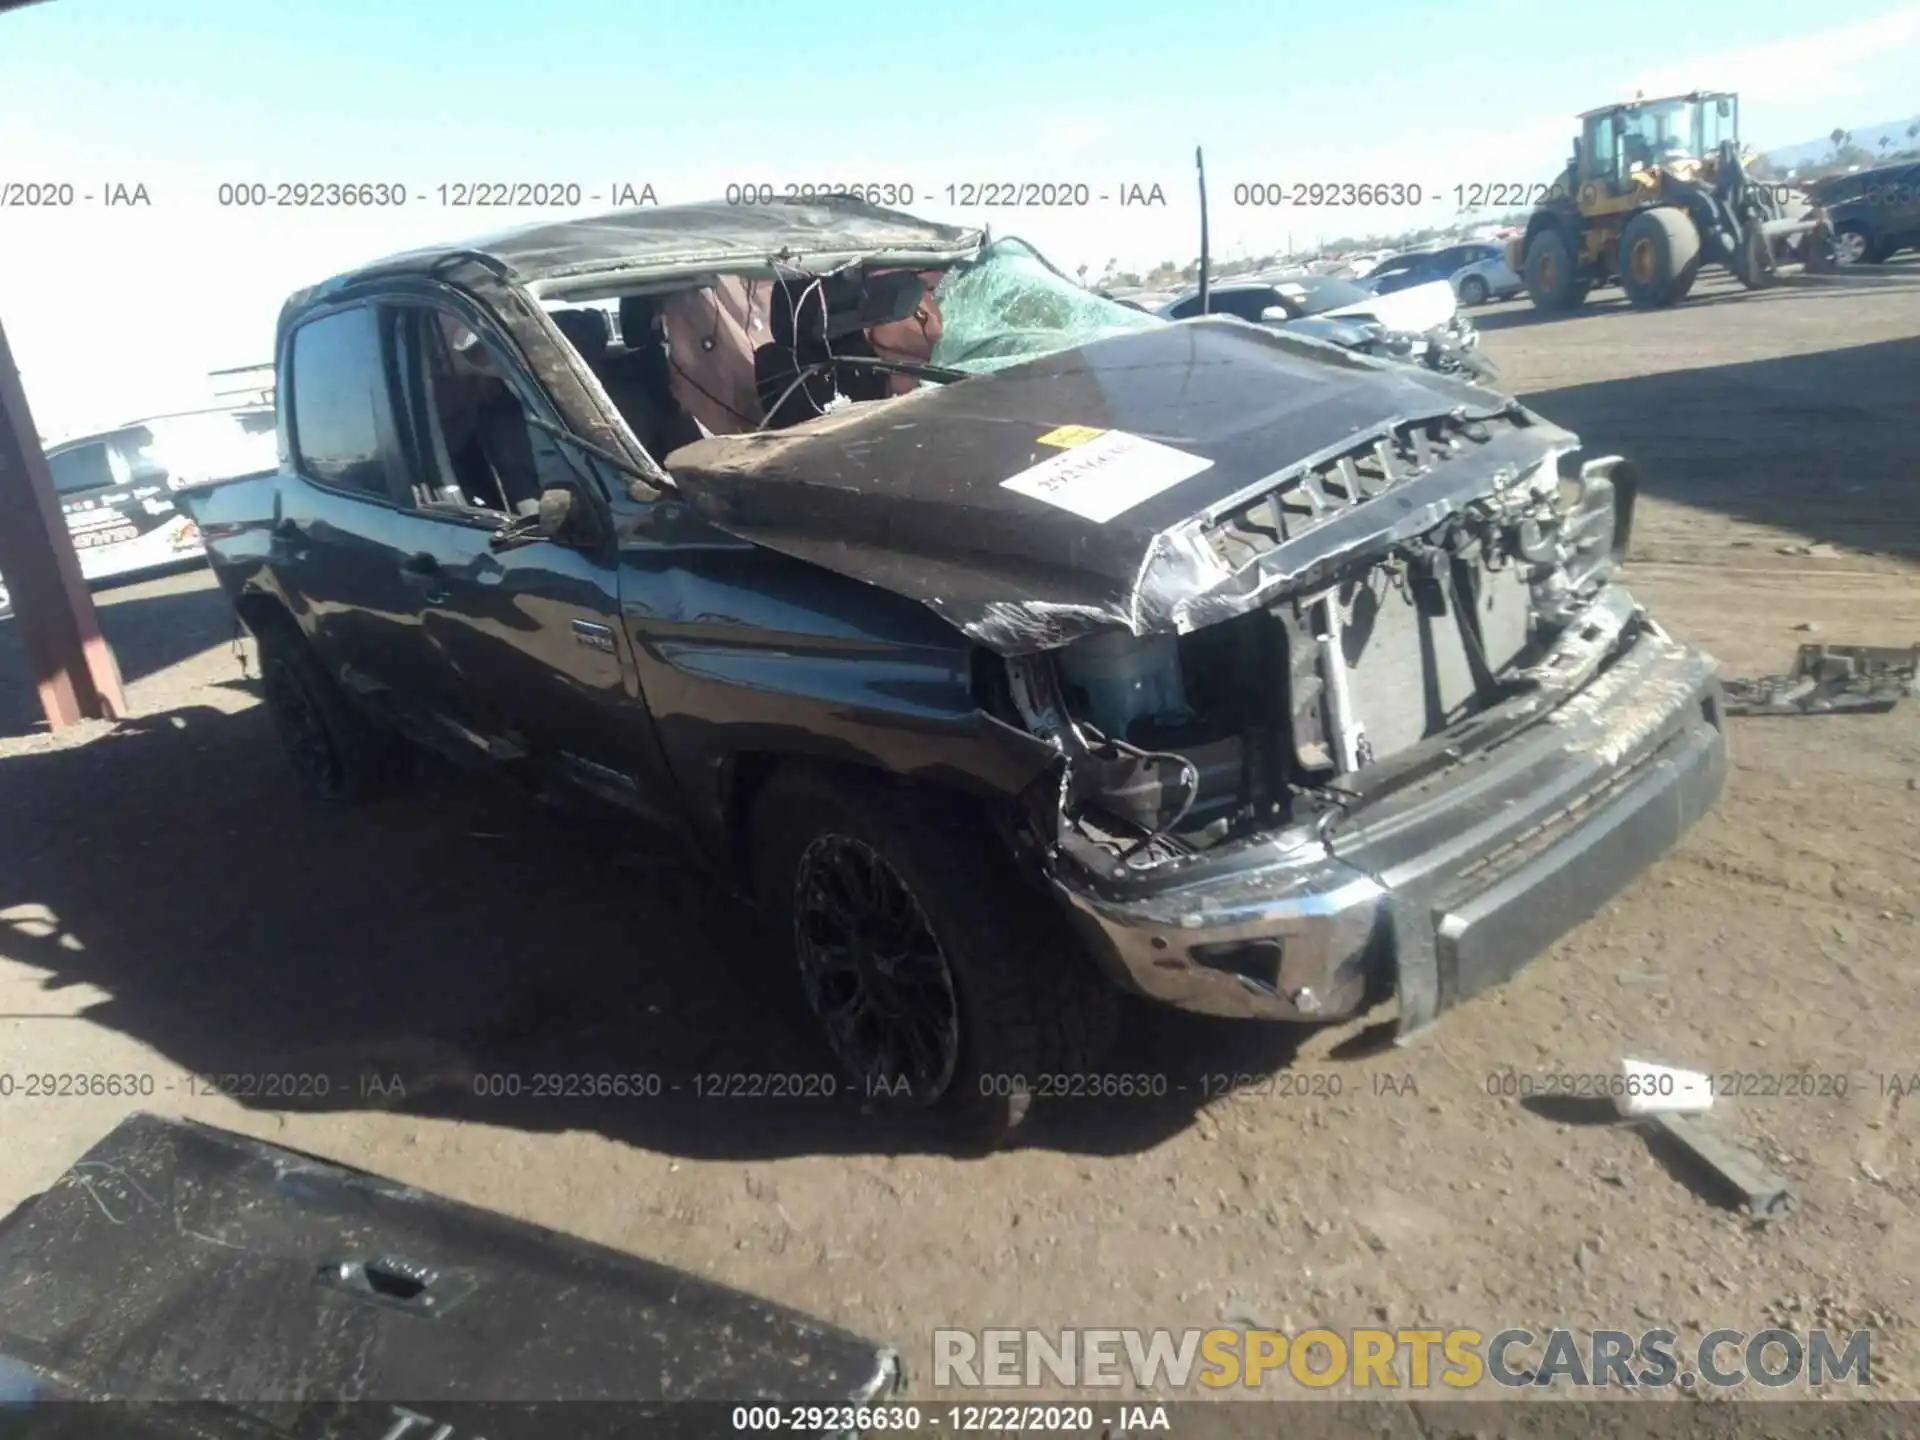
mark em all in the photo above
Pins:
pixel 116 487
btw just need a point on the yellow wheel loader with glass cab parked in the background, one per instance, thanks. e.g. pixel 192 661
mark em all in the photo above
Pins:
pixel 1656 191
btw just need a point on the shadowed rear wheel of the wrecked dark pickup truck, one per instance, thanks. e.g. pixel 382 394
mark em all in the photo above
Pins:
pixel 337 754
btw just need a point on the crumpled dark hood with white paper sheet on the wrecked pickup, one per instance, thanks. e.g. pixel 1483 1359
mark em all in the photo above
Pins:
pixel 1149 448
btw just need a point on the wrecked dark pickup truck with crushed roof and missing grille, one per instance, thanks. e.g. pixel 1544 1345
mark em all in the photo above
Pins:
pixel 1011 646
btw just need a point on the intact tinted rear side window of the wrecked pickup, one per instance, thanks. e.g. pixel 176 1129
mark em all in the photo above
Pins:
pixel 339 385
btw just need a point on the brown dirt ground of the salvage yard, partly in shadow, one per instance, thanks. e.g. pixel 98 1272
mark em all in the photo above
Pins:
pixel 170 909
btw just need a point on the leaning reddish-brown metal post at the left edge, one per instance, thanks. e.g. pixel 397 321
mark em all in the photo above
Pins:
pixel 74 669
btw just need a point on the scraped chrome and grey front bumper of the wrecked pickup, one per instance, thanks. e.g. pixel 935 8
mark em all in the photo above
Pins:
pixel 1441 888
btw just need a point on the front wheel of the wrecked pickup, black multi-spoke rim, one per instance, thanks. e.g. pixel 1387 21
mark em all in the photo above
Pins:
pixel 938 978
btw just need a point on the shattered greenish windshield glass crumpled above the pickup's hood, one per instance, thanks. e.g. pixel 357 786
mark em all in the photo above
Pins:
pixel 1009 306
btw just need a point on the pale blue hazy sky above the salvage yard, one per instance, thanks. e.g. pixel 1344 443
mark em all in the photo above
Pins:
pixel 124 310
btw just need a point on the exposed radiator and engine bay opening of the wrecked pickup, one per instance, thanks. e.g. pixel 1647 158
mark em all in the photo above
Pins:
pixel 1299 709
